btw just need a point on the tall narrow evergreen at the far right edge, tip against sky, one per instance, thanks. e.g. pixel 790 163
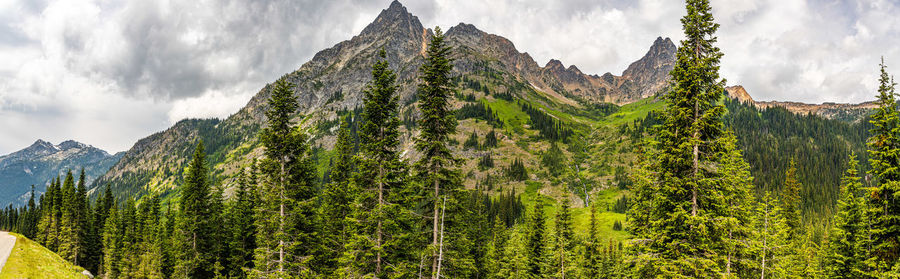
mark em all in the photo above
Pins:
pixel 884 158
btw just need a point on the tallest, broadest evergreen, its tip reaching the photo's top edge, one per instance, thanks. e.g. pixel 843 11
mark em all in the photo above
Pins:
pixel 678 200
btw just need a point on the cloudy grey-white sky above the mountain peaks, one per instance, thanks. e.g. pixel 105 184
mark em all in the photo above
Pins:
pixel 109 72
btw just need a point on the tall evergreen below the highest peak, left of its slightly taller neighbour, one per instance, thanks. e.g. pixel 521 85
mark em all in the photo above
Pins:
pixel 381 247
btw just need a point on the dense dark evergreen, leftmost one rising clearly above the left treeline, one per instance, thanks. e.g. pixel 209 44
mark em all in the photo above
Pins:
pixel 194 229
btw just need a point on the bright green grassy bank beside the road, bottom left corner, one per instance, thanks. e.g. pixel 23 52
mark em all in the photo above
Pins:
pixel 31 260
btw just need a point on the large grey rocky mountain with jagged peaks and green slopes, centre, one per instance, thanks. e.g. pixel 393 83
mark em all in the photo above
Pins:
pixel 331 83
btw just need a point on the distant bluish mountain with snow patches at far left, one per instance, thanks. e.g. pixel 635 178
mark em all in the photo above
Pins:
pixel 42 161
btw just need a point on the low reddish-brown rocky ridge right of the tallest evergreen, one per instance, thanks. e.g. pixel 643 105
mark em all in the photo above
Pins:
pixel 846 112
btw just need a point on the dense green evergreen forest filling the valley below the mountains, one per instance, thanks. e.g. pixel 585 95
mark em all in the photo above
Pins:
pixel 719 189
